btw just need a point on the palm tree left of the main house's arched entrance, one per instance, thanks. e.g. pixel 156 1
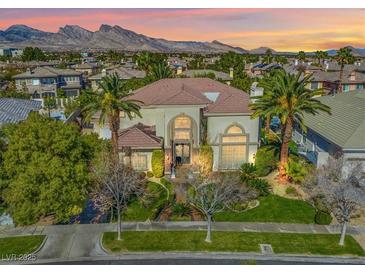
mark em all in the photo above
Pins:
pixel 110 100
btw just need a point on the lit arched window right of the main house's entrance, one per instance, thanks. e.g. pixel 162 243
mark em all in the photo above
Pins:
pixel 233 147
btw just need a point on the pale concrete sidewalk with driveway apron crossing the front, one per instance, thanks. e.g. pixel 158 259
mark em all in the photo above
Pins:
pixel 82 240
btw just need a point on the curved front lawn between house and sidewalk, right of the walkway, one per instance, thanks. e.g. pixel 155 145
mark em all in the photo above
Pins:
pixel 273 208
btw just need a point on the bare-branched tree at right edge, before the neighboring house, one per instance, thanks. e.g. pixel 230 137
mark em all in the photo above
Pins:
pixel 341 185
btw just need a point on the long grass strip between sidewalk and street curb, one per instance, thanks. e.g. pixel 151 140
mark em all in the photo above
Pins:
pixel 150 241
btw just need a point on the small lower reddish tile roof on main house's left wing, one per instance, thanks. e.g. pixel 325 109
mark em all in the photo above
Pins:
pixel 139 136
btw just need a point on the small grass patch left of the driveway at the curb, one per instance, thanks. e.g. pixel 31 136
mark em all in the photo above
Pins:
pixel 20 245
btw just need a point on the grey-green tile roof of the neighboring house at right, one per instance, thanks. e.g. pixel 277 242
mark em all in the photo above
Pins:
pixel 346 126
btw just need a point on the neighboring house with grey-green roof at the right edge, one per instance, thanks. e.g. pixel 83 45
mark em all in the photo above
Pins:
pixel 342 133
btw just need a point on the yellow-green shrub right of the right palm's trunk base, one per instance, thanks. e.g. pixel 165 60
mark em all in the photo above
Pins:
pixel 297 168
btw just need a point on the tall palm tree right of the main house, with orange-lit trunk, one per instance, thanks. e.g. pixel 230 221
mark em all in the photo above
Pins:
pixel 289 99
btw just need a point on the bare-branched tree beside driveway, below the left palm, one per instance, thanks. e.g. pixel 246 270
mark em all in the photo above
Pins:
pixel 116 185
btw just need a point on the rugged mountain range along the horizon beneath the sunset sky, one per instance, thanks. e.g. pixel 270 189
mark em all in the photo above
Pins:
pixel 73 37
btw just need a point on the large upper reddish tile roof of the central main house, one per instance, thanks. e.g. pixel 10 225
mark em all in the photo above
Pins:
pixel 193 91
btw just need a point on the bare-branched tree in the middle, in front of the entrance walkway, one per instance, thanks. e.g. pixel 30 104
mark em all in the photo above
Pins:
pixel 216 192
